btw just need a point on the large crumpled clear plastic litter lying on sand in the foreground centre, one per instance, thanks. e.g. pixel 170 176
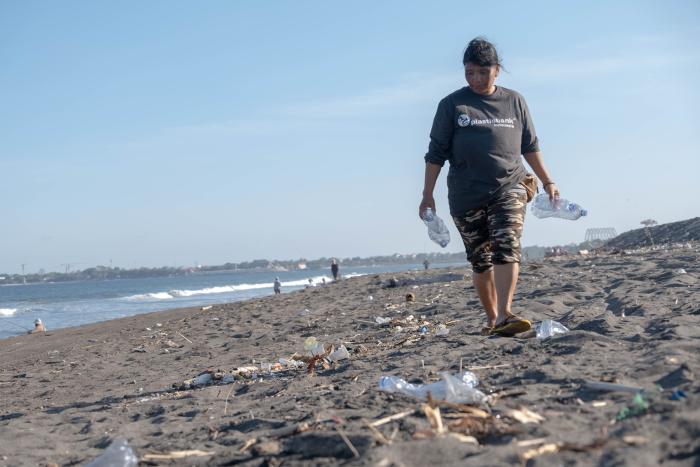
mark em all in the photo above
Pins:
pixel 459 389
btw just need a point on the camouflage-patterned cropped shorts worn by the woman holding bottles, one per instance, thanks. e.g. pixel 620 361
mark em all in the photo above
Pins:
pixel 491 233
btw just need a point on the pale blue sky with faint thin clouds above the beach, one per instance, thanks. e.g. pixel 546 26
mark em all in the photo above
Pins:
pixel 170 133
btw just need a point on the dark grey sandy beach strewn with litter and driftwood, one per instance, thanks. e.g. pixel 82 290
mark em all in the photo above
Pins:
pixel 632 316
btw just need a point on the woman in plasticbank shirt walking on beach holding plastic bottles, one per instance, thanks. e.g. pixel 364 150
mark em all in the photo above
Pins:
pixel 482 129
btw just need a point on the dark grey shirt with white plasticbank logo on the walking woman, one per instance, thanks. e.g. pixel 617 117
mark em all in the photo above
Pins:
pixel 483 138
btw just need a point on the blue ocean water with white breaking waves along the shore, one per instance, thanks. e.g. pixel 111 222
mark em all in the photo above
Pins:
pixel 65 304
